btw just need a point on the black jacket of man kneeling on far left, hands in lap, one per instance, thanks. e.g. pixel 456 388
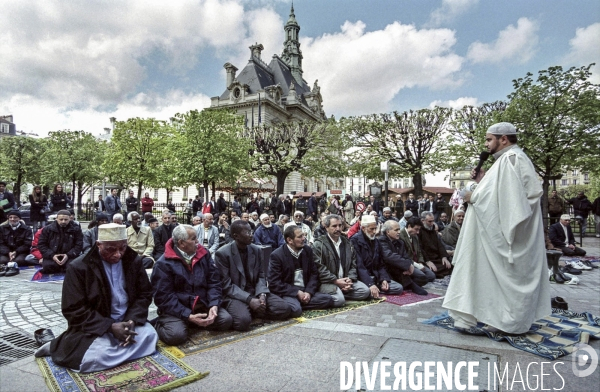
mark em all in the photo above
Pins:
pixel 52 242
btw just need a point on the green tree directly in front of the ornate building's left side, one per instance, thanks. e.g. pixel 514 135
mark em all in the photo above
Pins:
pixel 210 149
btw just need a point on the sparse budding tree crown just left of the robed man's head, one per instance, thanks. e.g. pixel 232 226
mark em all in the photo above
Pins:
pixel 467 130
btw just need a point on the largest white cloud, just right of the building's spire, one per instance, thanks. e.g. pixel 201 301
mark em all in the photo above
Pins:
pixel 361 72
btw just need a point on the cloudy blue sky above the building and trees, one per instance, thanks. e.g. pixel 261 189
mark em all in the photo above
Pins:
pixel 73 64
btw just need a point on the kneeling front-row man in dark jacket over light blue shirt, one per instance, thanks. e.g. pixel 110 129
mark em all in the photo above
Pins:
pixel 294 275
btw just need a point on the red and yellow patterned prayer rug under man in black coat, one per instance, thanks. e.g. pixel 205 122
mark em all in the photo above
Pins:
pixel 157 372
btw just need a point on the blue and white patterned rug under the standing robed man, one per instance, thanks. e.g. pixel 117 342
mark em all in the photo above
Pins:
pixel 550 337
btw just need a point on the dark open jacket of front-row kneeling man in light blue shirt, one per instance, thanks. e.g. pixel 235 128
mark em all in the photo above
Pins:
pixel 282 271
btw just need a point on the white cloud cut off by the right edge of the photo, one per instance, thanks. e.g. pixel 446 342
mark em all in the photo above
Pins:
pixel 585 49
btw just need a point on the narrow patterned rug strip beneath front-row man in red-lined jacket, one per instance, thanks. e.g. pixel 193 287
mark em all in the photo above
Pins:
pixel 202 339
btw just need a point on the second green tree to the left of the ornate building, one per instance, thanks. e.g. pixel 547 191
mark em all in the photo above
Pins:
pixel 137 151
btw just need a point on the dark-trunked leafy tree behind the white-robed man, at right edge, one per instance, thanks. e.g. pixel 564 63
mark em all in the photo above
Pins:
pixel 558 117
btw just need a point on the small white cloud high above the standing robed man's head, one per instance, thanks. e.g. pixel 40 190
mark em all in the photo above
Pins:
pixel 514 43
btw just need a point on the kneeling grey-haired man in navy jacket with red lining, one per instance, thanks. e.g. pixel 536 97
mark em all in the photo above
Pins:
pixel 187 289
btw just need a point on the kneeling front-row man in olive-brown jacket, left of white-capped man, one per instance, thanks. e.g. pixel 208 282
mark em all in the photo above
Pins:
pixel 336 259
